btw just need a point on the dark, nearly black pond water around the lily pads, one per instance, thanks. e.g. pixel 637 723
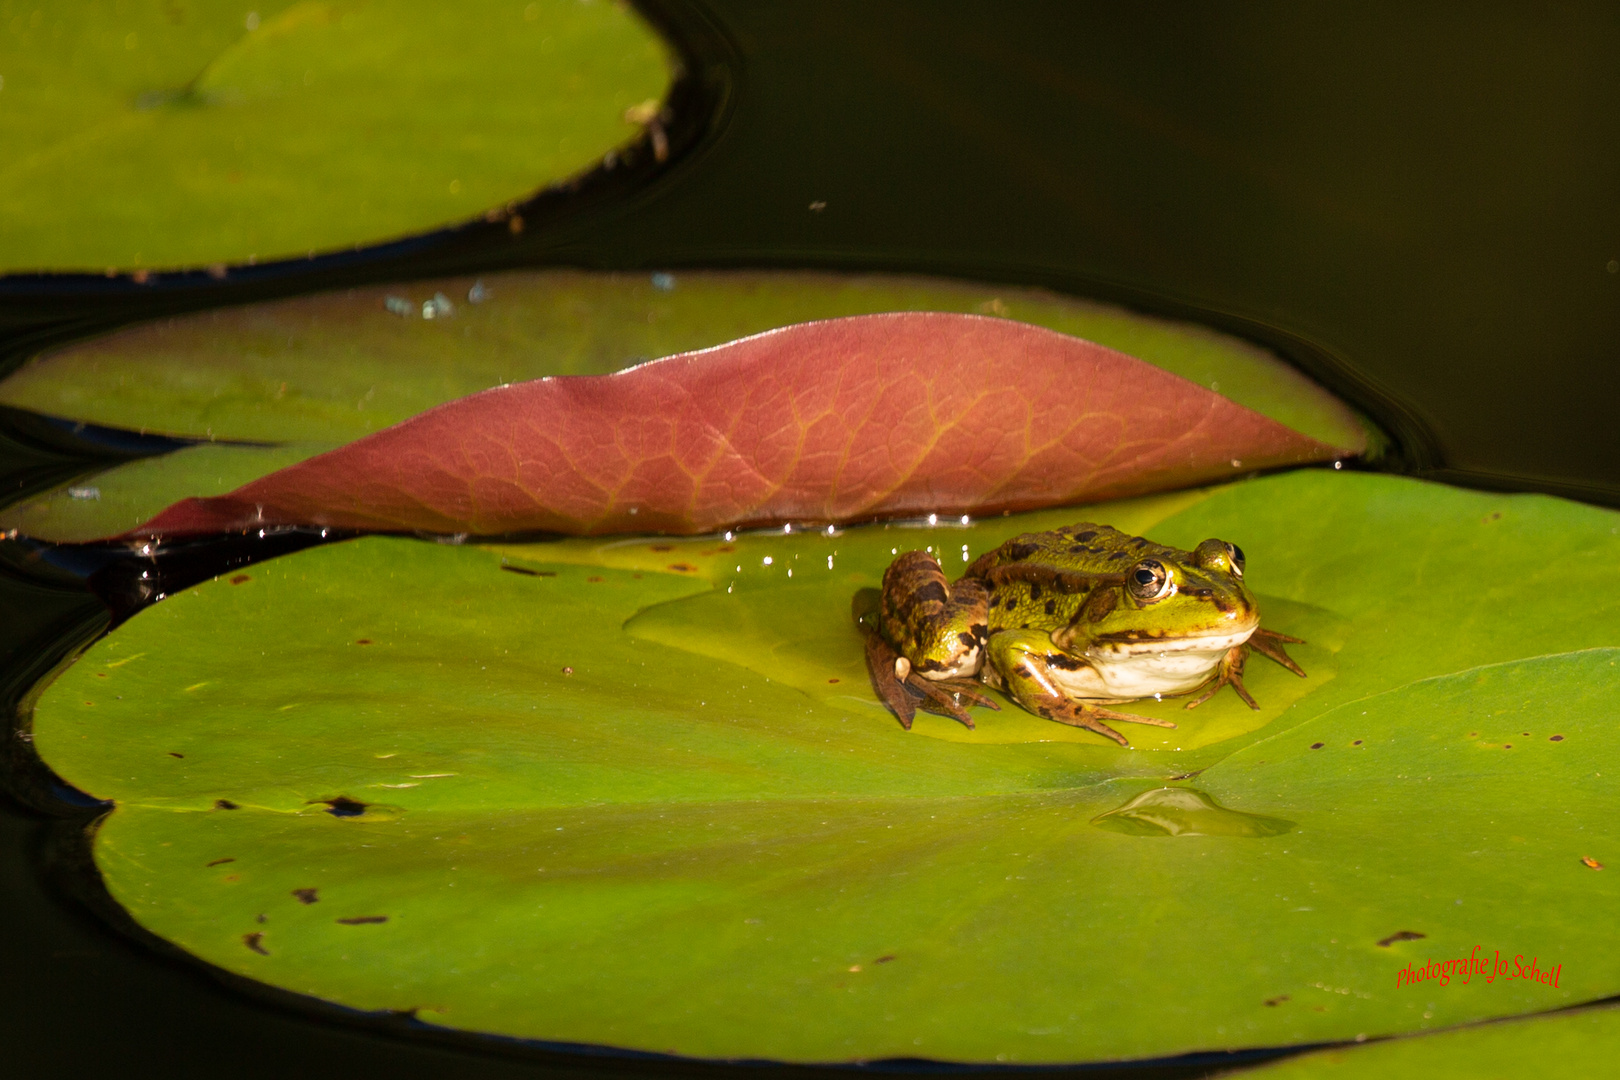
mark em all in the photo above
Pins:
pixel 1417 206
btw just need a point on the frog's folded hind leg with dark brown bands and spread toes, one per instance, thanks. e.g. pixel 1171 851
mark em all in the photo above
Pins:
pixel 929 642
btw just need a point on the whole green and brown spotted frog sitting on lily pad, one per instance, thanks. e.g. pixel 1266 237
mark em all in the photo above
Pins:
pixel 1067 623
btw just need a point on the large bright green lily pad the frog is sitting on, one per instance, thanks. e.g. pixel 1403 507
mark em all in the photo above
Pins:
pixel 639 793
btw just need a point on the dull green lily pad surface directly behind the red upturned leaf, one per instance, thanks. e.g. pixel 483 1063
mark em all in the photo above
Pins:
pixel 338 367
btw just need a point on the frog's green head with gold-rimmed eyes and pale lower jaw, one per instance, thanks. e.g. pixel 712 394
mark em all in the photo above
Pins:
pixel 1169 600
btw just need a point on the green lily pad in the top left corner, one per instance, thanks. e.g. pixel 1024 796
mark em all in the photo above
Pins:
pixel 192 132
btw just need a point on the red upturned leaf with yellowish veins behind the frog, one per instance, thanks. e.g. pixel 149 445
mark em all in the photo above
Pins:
pixel 843 420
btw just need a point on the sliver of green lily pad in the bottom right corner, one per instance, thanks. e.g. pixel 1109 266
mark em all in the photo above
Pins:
pixel 1582 1044
